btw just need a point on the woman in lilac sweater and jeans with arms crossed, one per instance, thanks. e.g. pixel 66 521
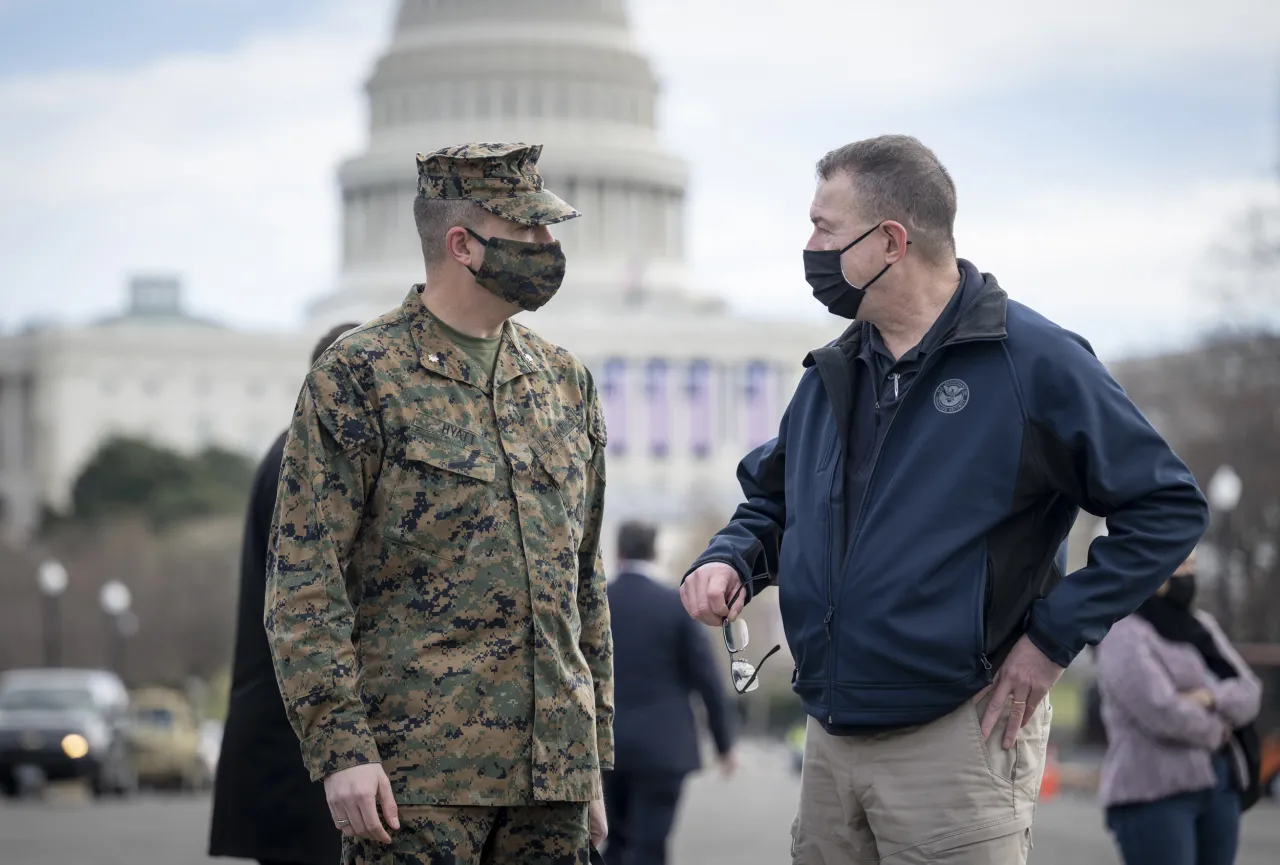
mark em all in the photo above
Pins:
pixel 1178 703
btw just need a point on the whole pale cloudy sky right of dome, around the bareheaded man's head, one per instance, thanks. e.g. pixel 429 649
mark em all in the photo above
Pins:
pixel 755 98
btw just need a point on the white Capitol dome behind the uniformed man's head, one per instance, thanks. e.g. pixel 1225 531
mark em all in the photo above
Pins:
pixel 561 74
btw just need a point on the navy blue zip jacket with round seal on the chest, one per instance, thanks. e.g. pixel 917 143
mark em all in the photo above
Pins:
pixel 900 606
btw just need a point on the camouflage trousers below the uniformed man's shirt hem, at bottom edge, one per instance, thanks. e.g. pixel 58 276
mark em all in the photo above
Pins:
pixel 555 834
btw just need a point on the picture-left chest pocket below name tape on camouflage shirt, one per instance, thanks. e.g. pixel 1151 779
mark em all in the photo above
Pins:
pixel 445 498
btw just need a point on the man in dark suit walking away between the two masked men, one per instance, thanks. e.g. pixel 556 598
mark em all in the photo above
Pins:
pixel 661 658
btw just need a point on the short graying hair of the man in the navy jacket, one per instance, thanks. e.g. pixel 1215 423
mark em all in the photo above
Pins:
pixel 897 177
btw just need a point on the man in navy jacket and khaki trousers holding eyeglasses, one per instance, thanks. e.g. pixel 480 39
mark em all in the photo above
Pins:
pixel 912 511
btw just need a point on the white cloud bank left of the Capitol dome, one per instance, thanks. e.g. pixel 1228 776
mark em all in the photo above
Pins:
pixel 220 167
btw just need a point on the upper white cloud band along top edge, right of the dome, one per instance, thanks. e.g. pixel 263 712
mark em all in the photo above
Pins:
pixel 769 60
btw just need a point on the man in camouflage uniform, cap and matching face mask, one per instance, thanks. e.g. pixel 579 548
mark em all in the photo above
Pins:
pixel 437 605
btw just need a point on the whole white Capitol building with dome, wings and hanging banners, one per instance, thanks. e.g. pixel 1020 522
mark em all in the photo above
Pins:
pixel 689 386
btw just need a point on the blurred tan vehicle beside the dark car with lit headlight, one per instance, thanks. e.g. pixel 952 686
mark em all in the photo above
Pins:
pixel 167 742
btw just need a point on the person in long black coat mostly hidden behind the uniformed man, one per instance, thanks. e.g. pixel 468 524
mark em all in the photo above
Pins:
pixel 266 805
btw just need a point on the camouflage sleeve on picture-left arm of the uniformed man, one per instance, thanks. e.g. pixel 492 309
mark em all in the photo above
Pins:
pixel 331 465
